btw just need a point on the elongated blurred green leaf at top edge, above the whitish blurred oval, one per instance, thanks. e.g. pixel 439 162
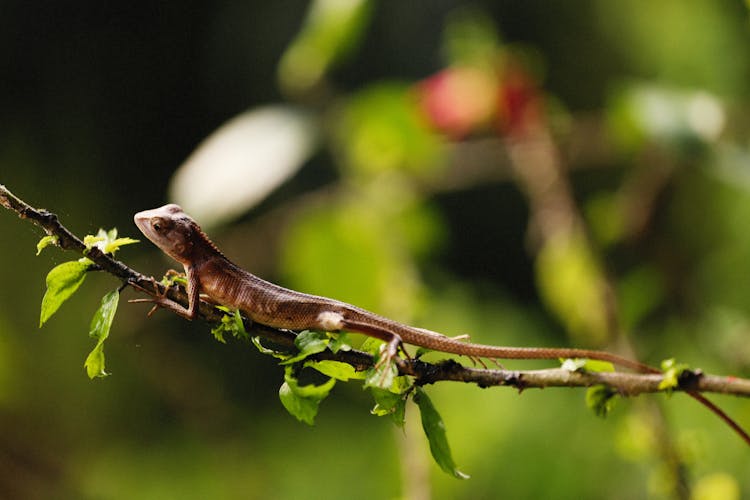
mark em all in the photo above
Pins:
pixel 330 32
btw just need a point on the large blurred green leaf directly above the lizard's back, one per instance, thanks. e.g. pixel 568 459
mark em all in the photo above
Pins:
pixel 350 252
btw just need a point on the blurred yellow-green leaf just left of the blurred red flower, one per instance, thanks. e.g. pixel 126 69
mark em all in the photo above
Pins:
pixel 382 129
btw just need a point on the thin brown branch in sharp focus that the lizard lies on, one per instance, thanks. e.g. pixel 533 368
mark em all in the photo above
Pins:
pixel 626 384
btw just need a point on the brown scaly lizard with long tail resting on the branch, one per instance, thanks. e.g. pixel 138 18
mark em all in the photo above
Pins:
pixel 209 273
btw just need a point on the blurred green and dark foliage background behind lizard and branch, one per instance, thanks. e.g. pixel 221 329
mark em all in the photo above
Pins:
pixel 531 173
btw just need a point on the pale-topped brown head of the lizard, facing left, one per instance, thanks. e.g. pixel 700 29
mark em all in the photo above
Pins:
pixel 170 229
